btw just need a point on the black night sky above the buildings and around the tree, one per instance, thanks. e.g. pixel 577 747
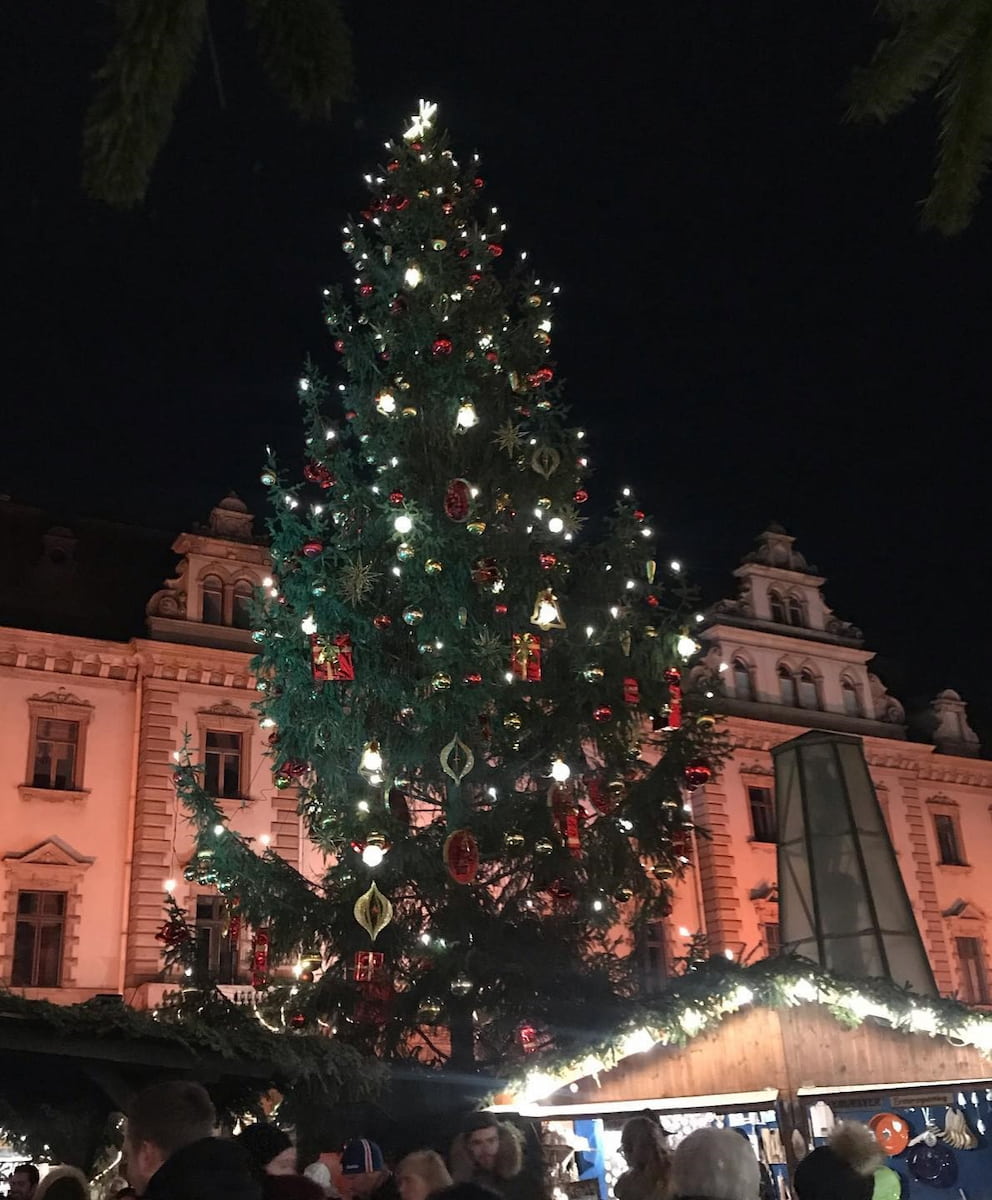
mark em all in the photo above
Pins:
pixel 751 325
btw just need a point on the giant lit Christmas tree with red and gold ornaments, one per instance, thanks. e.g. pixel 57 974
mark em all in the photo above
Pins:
pixel 480 707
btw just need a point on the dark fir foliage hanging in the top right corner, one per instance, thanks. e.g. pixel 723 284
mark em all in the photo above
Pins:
pixel 945 47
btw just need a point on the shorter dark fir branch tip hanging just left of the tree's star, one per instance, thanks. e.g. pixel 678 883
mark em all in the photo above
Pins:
pixel 305 49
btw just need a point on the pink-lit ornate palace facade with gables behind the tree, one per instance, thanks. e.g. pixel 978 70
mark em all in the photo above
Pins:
pixel 93 833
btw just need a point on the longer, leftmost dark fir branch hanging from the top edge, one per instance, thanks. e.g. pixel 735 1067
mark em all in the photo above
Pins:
pixel 139 88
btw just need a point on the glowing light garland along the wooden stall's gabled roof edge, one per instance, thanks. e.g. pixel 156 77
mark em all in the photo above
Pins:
pixel 707 995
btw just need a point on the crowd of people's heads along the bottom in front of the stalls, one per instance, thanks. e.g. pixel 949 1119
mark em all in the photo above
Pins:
pixel 171 1153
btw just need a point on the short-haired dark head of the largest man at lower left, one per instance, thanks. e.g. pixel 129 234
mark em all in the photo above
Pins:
pixel 164 1119
